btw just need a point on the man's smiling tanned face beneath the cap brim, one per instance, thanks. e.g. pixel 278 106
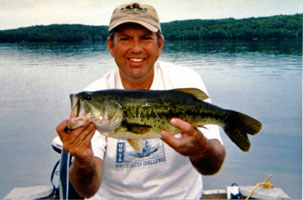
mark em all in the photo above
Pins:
pixel 135 50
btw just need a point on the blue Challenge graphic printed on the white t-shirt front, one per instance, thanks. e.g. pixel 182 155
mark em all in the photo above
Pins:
pixel 152 154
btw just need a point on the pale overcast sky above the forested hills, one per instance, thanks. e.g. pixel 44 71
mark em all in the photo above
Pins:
pixel 23 13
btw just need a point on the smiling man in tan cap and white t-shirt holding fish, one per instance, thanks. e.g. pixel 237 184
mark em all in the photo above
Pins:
pixel 170 167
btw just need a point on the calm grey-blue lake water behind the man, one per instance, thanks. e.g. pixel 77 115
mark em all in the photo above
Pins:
pixel 262 79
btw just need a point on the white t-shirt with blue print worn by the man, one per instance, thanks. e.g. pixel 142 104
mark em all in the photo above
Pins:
pixel 158 172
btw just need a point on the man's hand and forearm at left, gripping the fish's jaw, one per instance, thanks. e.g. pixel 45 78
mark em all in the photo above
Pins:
pixel 86 170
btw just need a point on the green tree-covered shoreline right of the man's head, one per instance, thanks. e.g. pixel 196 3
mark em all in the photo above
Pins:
pixel 278 27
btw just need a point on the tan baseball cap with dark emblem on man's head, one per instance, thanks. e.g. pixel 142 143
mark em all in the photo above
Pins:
pixel 145 15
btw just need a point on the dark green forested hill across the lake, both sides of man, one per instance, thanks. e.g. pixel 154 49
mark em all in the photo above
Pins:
pixel 279 27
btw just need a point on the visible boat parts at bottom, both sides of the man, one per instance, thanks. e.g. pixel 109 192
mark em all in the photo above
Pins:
pixel 64 190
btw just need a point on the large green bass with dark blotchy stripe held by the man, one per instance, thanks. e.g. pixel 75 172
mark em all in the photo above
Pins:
pixel 135 115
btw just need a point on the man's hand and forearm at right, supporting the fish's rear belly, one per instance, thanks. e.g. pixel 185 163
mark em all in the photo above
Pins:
pixel 207 156
